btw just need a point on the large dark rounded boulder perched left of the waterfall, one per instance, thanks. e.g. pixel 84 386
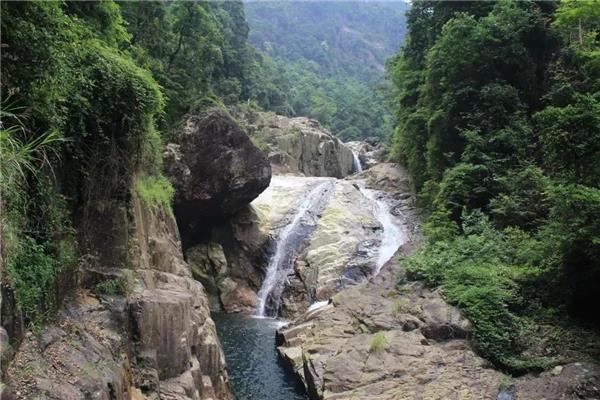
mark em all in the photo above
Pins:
pixel 215 168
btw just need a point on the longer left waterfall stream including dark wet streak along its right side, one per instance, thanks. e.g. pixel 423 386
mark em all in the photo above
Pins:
pixel 289 239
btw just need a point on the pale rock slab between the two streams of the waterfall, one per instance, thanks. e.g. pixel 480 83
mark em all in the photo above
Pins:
pixel 339 251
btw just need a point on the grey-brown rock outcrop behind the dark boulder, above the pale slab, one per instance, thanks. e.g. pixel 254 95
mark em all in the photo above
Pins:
pixel 298 145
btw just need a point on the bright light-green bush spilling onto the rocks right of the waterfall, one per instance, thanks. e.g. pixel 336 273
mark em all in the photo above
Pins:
pixel 480 272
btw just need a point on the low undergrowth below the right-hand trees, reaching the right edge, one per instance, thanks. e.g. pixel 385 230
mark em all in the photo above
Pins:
pixel 492 276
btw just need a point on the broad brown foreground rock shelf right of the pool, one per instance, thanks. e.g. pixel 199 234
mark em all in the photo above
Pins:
pixel 380 342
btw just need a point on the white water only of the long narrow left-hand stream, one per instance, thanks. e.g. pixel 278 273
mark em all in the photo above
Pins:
pixel 309 201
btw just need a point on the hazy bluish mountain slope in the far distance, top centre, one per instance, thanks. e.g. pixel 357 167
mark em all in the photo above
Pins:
pixel 352 36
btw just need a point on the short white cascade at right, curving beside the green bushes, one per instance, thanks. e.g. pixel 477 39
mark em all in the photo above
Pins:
pixel 392 237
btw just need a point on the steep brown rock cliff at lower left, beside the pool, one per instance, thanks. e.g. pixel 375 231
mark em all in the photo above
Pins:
pixel 153 339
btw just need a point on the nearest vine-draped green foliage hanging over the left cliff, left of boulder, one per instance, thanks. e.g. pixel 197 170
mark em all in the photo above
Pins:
pixel 89 111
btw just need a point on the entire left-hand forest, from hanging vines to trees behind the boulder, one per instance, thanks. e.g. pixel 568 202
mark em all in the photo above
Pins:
pixel 90 91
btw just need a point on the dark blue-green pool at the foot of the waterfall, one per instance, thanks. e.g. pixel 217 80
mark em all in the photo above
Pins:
pixel 256 372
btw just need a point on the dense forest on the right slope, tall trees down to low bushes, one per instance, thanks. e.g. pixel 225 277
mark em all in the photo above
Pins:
pixel 499 122
